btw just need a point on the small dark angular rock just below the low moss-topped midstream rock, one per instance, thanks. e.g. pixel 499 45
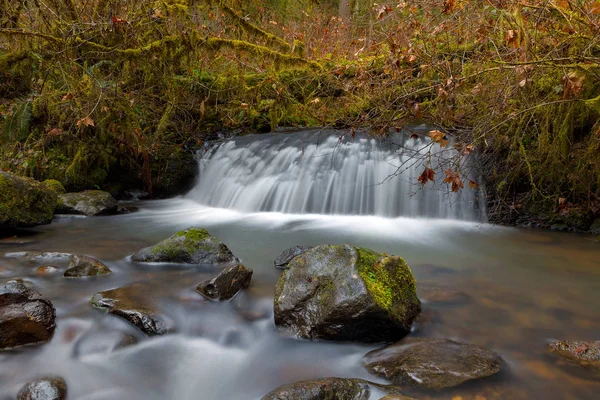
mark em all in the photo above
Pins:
pixel 227 284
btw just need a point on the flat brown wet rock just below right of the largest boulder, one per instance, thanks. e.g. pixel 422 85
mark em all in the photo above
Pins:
pixel 432 363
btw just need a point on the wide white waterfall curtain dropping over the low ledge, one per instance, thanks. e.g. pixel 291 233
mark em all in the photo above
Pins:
pixel 327 172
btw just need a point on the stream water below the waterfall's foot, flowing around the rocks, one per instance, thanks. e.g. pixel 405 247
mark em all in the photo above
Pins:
pixel 524 288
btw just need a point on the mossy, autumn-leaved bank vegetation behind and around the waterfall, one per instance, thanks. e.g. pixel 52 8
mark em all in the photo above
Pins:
pixel 103 93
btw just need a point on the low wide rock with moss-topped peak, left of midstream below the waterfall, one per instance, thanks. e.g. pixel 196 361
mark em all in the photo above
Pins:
pixel 191 246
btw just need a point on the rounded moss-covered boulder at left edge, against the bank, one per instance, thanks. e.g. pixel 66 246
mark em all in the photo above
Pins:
pixel 24 202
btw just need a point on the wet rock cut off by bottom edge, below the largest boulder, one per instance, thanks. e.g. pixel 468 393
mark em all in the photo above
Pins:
pixel 322 389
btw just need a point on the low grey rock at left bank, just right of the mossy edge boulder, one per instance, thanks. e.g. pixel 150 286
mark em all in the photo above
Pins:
pixel 89 202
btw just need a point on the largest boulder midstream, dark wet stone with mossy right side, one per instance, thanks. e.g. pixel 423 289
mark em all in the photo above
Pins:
pixel 346 293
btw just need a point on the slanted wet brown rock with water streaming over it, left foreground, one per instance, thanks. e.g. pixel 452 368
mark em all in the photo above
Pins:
pixel 133 303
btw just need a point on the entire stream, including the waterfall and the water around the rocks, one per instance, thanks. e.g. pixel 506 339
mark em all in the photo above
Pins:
pixel 261 195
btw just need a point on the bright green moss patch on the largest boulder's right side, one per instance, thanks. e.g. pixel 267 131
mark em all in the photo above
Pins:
pixel 389 281
